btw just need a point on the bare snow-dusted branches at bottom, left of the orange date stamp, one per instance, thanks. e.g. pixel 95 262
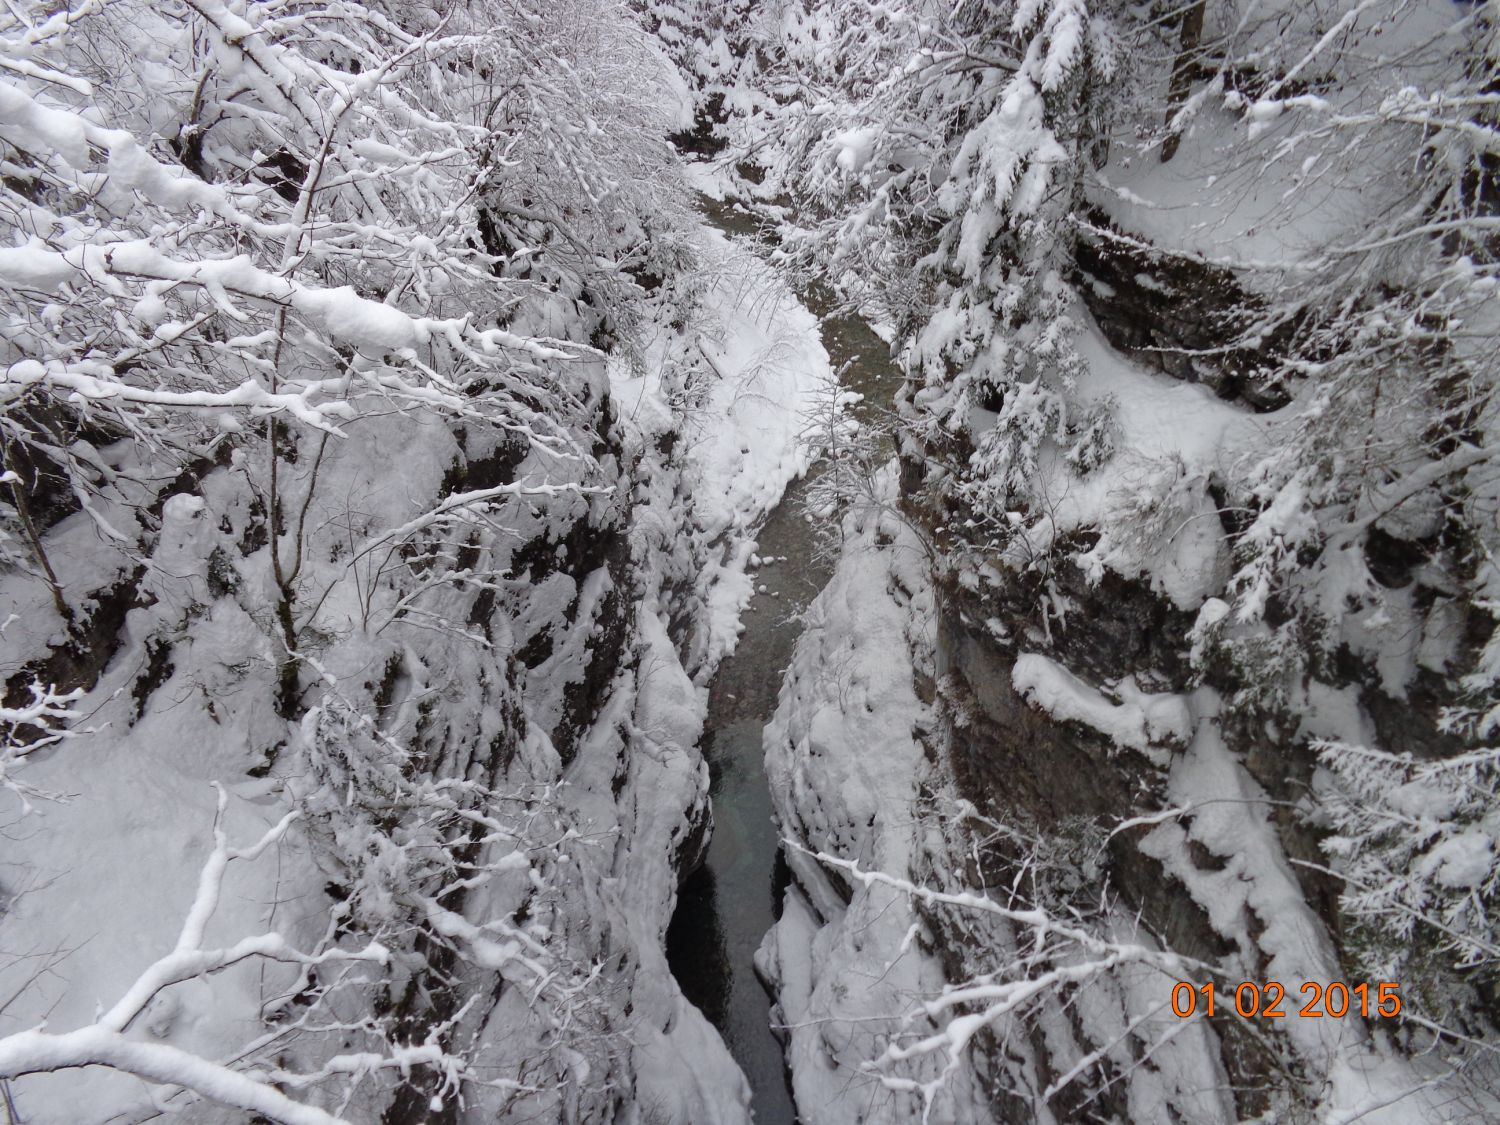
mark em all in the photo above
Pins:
pixel 1048 956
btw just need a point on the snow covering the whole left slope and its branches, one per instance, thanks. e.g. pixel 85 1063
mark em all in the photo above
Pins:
pixel 439 631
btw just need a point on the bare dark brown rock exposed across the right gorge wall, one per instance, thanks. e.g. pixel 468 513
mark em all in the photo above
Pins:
pixel 1027 763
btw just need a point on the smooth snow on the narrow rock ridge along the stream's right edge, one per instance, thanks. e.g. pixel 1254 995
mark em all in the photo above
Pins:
pixel 845 766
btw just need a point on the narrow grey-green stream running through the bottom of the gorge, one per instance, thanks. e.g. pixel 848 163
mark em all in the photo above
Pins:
pixel 727 908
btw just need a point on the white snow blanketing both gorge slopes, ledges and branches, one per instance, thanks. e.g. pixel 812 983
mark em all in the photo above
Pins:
pixel 445 632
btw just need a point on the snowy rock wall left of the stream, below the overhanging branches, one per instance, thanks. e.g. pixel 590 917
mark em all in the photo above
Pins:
pixel 553 686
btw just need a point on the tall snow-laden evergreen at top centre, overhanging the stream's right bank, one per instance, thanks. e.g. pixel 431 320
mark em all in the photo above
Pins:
pixel 937 157
